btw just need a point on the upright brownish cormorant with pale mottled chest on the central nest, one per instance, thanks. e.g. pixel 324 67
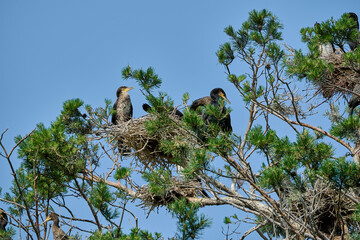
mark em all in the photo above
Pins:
pixel 124 112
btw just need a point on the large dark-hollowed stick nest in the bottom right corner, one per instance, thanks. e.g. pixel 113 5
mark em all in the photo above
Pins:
pixel 330 213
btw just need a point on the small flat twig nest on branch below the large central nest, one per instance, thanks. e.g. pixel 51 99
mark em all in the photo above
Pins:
pixel 177 189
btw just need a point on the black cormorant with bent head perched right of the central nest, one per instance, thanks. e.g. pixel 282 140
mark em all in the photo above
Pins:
pixel 213 99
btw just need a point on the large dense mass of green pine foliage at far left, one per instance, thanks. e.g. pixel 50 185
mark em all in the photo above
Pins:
pixel 53 156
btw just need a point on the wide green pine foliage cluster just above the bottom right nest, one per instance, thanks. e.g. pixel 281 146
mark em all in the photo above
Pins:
pixel 288 158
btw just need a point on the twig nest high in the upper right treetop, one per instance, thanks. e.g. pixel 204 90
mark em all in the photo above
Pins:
pixel 340 81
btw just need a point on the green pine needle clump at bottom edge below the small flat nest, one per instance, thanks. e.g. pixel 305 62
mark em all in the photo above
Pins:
pixel 189 224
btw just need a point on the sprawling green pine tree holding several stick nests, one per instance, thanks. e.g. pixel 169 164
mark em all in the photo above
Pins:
pixel 304 189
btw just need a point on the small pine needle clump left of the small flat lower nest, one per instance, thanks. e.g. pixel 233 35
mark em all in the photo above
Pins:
pixel 101 197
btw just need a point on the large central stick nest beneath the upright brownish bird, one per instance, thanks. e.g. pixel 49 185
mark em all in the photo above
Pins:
pixel 146 147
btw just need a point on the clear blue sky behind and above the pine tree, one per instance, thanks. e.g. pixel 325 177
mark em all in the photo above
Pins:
pixel 51 51
